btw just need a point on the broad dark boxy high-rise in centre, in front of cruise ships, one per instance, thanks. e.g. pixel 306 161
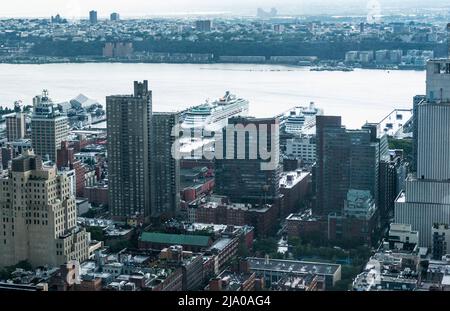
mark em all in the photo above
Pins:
pixel 240 172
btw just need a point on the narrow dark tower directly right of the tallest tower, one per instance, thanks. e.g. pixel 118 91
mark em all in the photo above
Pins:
pixel 166 173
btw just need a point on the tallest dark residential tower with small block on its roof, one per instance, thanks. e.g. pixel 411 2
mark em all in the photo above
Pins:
pixel 129 126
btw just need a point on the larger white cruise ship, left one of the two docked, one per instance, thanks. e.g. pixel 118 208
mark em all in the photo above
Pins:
pixel 214 116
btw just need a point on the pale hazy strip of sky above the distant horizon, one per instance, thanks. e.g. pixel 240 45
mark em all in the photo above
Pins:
pixel 134 8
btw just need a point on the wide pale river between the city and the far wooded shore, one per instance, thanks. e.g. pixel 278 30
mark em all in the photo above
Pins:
pixel 358 96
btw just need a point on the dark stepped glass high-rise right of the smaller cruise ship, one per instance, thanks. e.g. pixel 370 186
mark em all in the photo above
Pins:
pixel 346 159
